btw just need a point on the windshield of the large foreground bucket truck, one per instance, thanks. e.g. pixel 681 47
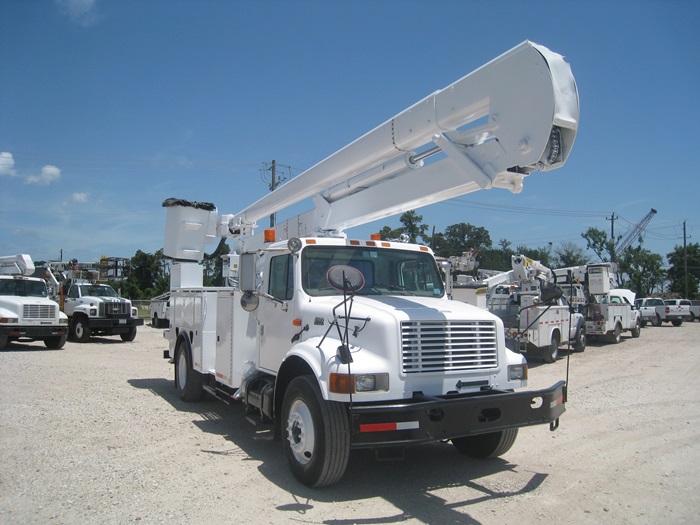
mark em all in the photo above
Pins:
pixel 386 272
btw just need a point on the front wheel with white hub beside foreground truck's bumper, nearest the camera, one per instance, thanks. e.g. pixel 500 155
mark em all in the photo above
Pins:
pixel 316 436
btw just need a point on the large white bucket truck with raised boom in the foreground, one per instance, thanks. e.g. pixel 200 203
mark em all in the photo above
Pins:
pixel 343 343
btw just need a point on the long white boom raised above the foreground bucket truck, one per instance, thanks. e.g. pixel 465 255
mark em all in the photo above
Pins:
pixel 515 115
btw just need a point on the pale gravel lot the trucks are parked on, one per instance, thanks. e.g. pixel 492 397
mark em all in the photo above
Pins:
pixel 95 433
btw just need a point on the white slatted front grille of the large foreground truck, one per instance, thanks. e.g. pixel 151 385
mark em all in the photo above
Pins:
pixel 448 346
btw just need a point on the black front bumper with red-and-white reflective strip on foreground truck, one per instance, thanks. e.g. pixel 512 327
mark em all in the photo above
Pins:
pixel 422 420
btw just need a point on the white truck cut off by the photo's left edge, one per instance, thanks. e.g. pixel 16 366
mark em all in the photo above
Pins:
pixel 26 312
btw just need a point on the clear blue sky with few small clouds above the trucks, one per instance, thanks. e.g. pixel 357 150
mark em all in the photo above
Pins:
pixel 109 108
